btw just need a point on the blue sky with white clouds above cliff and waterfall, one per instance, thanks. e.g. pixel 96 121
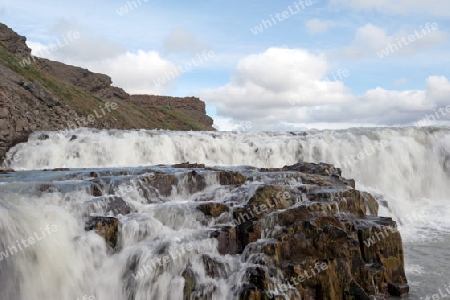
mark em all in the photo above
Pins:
pixel 260 65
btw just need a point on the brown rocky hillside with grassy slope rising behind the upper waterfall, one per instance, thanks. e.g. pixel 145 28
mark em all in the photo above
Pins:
pixel 39 94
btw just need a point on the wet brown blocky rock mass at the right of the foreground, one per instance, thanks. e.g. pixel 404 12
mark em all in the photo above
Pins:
pixel 329 224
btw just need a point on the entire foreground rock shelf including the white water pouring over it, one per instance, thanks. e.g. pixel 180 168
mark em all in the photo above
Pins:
pixel 188 231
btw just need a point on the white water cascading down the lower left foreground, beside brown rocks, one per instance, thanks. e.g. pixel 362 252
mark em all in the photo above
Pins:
pixel 158 241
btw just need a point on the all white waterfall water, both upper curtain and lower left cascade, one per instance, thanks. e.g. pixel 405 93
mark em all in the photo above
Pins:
pixel 410 167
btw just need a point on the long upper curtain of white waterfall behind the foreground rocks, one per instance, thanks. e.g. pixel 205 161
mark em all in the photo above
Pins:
pixel 405 163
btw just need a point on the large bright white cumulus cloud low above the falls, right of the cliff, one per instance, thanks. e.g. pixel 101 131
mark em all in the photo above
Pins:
pixel 283 88
